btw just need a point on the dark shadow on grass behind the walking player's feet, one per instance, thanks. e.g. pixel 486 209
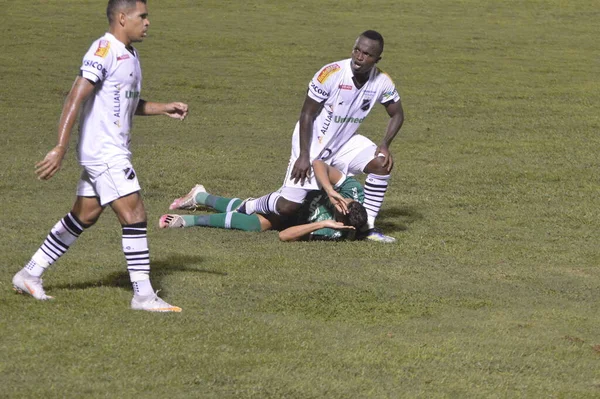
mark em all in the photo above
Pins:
pixel 158 269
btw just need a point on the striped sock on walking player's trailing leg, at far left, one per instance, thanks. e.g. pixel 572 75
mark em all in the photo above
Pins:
pixel 61 237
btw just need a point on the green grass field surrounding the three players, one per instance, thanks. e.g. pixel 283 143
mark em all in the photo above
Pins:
pixel 492 289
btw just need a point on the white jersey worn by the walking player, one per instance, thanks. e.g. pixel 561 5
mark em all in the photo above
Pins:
pixel 106 117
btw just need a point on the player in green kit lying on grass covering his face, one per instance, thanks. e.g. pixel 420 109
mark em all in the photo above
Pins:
pixel 333 213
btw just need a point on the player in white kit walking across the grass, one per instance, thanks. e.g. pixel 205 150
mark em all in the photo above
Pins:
pixel 106 94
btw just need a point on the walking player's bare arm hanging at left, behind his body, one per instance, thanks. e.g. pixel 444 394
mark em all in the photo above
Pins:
pixel 80 91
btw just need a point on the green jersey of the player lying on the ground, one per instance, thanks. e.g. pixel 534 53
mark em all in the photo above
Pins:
pixel 317 207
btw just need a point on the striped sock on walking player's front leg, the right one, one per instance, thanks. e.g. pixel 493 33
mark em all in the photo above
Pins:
pixel 137 254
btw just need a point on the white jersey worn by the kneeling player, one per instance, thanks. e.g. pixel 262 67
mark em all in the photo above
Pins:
pixel 345 106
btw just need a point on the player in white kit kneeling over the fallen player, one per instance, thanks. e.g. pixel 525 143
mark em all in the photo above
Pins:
pixel 339 98
